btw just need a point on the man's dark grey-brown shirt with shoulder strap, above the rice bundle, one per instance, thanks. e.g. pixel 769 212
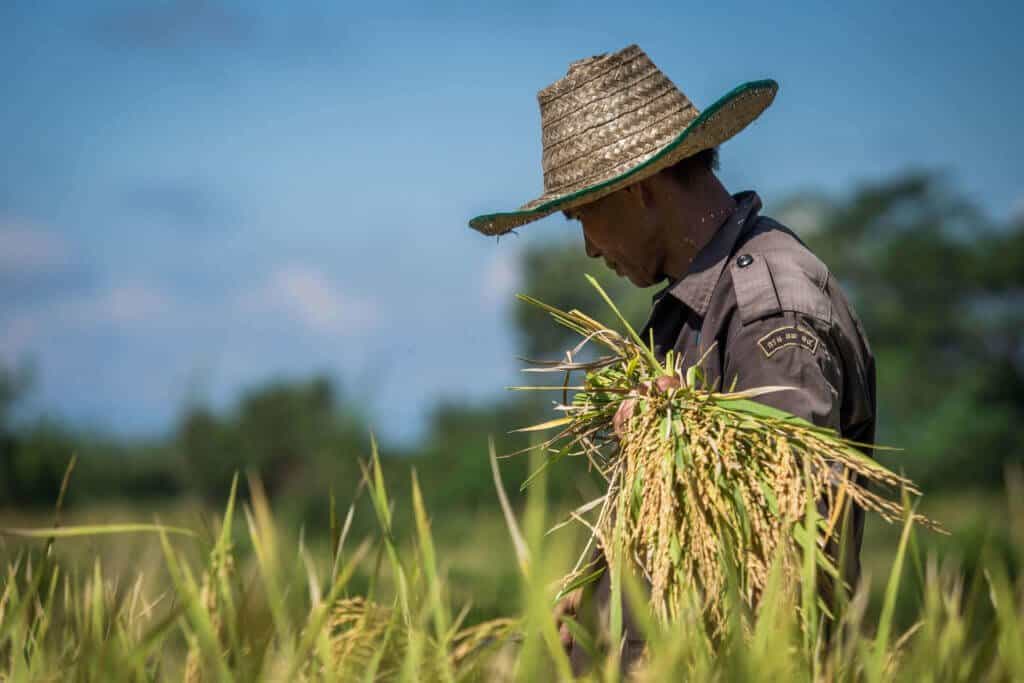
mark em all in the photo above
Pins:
pixel 761 310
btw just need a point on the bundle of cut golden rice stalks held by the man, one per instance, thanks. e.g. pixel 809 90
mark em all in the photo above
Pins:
pixel 702 485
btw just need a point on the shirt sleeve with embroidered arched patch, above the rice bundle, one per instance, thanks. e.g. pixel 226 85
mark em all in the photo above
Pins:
pixel 786 350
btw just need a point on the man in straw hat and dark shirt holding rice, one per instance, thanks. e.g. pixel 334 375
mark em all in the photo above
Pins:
pixel 630 157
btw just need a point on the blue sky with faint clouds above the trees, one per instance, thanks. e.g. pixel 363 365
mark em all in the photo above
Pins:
pixel 196 197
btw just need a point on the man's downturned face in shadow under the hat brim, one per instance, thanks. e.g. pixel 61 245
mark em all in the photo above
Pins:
pixel 622 229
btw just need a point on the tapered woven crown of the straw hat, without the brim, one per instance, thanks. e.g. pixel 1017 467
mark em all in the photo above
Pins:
pixel 610 113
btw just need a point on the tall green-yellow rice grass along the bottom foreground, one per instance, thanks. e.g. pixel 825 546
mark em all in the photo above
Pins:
pixel 282 614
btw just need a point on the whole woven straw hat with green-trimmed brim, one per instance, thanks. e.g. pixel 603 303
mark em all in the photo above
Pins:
pixel 617 119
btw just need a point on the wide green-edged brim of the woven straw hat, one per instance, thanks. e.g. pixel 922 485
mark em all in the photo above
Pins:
pixel 715 125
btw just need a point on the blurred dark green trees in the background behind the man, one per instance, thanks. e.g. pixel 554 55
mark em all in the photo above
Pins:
pixel 938 285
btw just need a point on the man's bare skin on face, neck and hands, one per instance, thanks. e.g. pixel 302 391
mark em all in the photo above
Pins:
pixel 647 233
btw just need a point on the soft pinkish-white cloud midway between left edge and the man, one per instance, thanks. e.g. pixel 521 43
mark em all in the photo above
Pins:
pixel 309 296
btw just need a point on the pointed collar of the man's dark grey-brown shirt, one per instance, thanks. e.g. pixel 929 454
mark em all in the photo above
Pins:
pixel 695 289
